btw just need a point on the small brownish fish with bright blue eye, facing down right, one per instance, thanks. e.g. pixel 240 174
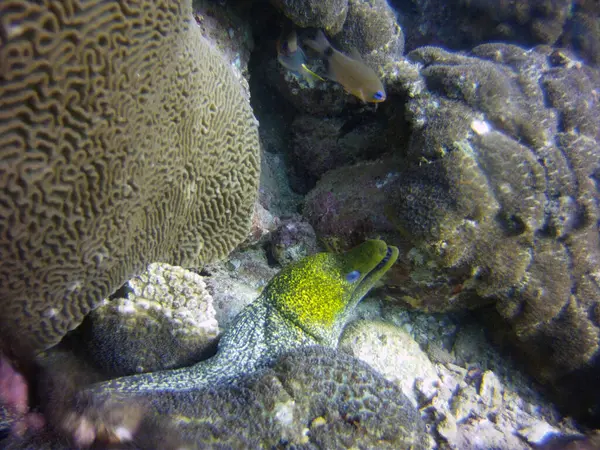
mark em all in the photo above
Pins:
pixel 354 75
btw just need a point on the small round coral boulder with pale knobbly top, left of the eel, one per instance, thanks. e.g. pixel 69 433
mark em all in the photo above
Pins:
pixel 166 321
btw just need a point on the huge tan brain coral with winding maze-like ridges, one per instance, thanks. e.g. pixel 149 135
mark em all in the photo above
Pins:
pixel 124 139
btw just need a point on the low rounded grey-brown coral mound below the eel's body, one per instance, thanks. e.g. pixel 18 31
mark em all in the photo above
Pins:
pixel 311 398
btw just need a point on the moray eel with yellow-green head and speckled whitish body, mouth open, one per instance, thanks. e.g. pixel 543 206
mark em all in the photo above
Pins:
pixel 307 303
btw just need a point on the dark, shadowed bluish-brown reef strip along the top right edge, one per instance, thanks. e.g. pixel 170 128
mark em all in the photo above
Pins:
pixel 462 24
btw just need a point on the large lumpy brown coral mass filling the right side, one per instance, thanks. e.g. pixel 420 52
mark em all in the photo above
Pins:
pixel 520 222
